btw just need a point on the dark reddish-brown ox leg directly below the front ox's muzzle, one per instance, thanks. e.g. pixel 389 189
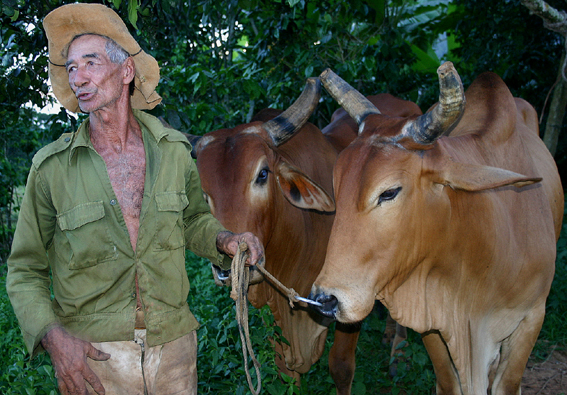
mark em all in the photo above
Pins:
pixel 342 356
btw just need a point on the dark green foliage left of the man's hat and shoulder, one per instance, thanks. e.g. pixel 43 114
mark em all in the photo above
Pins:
pixel 23 89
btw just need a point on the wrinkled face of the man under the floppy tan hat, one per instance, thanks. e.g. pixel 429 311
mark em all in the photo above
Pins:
pixel 95 80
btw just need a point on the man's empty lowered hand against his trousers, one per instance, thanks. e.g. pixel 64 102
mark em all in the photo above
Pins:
pixel 69 359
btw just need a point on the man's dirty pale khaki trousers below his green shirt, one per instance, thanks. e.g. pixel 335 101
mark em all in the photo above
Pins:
pixel 135 369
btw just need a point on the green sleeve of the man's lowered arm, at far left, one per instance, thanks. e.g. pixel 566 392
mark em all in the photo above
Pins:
pixel 28 281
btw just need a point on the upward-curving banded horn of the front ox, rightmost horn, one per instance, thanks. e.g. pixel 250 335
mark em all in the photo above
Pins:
pixel 446 114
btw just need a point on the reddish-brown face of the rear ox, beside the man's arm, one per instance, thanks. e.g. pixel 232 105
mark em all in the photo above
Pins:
pixel 236 170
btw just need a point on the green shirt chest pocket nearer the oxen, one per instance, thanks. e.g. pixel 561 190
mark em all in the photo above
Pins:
pixel 169 220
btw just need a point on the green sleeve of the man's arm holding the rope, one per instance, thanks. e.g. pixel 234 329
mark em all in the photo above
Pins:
pixel 201 228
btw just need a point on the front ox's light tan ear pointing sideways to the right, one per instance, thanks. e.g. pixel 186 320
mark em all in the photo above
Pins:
pixel 479 178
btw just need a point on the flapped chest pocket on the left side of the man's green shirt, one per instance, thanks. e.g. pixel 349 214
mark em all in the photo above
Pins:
pixel 87 234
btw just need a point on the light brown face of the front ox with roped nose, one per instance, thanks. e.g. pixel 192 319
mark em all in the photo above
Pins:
pixel 379 193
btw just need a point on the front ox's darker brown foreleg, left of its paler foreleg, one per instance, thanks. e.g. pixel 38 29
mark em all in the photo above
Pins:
pixel 445 373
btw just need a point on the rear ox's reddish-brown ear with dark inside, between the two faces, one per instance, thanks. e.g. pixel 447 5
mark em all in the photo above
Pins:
pixel 301 191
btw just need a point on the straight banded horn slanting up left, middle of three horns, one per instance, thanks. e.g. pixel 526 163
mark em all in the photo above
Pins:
pixel 354 103
